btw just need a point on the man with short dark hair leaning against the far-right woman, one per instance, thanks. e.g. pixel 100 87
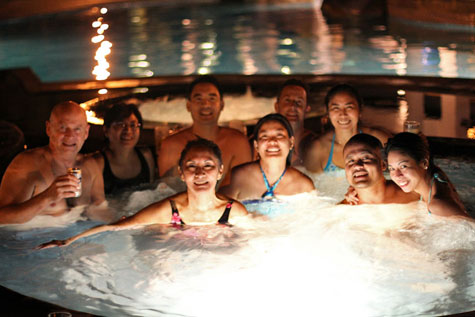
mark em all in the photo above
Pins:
pixel 364 168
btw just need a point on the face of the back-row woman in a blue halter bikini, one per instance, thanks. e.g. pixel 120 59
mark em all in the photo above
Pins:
pixel 343 111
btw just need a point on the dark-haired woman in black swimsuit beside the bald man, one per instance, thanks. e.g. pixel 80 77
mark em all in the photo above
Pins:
pixel 124 166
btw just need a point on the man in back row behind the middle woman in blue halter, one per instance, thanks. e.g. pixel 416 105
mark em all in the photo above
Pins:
pixel 292 104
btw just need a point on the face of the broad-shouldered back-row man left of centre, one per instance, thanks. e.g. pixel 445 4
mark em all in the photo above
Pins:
pixel 205 104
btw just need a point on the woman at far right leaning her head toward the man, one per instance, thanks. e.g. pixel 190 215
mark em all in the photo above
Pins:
pixel 411 167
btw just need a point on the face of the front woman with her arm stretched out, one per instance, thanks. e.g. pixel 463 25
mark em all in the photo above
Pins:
pixel 201 170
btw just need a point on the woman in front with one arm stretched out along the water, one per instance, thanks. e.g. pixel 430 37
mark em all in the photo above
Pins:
pixel 200 167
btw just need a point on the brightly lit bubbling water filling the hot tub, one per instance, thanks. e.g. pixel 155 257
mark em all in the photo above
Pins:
pixel 319 259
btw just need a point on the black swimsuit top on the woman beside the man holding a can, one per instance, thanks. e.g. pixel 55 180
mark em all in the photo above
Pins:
pixel 113 184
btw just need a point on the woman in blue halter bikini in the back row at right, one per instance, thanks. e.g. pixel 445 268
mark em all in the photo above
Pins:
pixel 344 106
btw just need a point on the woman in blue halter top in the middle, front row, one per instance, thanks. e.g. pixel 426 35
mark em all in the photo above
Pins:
pixel 271 174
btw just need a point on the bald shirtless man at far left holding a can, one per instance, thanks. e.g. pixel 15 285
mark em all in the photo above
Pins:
pixel 37 183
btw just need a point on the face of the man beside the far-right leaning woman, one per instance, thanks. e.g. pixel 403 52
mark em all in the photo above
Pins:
pixel 363 165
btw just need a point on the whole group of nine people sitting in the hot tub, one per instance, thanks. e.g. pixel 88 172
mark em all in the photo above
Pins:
pixel 216 163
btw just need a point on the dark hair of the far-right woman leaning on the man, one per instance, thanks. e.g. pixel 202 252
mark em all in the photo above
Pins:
pixel 413 145
